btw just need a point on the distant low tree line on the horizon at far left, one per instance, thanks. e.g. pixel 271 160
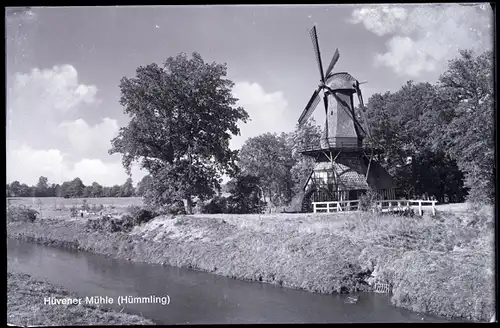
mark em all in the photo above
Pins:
pixel 75 189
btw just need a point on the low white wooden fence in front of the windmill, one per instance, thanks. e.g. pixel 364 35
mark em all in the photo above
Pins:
pixel 380 205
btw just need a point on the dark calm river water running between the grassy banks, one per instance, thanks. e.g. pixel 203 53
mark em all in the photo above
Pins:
pixel 195 297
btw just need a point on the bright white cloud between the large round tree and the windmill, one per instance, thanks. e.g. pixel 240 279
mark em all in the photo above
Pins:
pixel 266 111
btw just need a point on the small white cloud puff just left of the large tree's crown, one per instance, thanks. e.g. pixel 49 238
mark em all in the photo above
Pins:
pixel 89 140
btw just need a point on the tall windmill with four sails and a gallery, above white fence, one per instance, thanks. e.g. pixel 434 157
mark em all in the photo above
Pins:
pixel 345 167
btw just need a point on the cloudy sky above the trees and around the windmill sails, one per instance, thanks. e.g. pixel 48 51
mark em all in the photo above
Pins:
pixel 64 64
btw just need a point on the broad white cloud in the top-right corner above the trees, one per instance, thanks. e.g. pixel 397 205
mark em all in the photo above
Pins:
pixel 425 37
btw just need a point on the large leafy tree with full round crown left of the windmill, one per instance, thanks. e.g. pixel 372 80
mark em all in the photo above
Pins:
pixel 182 116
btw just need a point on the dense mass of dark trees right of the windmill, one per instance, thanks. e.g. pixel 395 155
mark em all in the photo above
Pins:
pixel 434 134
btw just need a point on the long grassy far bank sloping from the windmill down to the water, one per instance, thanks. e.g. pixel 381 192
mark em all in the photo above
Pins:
pixel 440 265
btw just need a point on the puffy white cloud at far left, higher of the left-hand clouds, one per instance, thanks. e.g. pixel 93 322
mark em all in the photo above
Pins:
pixel 48 90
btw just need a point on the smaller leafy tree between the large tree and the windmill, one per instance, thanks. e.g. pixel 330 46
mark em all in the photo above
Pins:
pixel 268 157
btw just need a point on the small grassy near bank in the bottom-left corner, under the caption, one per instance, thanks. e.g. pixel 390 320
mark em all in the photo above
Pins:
pixel 25 306
